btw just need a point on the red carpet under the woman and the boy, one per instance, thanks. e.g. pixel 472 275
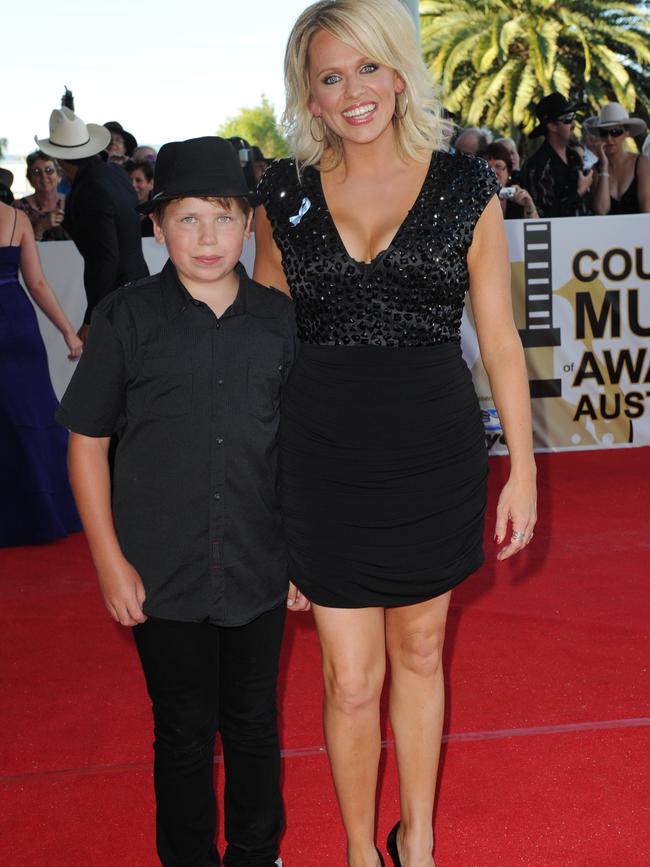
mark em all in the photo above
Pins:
pixel 547 733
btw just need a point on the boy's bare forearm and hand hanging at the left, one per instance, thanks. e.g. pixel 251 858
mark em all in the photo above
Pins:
pixel 120 584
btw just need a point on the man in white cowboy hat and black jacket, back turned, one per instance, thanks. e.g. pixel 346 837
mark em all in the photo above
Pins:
pixel 100 214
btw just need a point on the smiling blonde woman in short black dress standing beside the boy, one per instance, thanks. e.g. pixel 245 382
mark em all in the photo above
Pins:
pixel 378 233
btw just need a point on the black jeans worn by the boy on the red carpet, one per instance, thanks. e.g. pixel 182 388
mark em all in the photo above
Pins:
pixel 202 678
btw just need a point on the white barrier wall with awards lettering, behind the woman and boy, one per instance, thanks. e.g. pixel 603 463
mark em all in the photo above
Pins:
pixel 581 298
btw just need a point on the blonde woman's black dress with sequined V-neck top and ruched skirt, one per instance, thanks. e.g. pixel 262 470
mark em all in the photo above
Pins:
pixel 383 460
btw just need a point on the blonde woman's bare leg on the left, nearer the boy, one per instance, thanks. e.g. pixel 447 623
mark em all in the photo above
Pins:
pixel 353 648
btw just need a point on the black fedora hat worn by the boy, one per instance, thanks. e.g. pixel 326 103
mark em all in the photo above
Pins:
pixel 199 167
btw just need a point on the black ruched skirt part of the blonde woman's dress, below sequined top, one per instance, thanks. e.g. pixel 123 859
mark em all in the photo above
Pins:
pixel 383 473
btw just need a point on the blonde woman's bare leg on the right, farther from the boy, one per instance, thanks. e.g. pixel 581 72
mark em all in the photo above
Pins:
pixel 414 637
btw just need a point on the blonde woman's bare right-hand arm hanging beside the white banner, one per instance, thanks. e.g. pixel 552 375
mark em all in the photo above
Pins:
pixel 503 359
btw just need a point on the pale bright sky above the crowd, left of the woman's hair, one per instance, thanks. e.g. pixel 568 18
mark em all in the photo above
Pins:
pixel 166 69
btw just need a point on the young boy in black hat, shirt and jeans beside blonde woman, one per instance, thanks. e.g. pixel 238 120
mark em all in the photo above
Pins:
pixel 185 368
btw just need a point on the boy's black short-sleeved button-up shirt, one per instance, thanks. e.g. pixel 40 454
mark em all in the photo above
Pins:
pixel 194 400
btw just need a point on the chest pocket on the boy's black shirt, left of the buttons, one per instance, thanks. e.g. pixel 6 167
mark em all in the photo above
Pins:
pixel 162 390
